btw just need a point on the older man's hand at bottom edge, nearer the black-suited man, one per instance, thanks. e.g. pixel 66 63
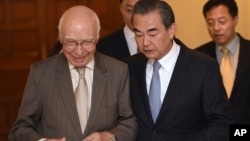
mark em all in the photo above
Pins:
pixel 99 136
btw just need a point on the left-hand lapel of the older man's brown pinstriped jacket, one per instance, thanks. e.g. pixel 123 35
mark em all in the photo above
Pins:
pixel 66 92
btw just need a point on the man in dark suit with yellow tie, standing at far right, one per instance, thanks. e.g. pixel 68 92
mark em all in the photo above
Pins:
pixel 222 17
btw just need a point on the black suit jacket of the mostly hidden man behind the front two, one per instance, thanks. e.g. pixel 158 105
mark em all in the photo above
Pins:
pixel 114 45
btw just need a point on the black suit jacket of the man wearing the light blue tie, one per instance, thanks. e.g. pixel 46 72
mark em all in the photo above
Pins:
pixel 195 107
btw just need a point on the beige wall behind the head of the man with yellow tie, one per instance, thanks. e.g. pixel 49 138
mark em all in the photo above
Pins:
pixel 191 28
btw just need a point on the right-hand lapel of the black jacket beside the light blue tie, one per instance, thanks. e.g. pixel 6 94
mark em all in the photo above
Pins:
pixel 177 82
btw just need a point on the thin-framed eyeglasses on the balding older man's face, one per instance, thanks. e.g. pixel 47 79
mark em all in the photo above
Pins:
pixel 72 44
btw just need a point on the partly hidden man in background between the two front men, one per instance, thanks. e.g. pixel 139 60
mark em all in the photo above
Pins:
pixel 121 43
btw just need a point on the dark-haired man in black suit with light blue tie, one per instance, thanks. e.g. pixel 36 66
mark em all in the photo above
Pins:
pixel 193 102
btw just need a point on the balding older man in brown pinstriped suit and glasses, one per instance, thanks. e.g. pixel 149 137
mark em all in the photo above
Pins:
pixel 50 111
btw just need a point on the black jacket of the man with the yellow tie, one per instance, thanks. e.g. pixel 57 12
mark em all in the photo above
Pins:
pixel 240 97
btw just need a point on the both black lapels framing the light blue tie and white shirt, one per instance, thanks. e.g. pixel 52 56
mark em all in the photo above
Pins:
pixel 179 77
